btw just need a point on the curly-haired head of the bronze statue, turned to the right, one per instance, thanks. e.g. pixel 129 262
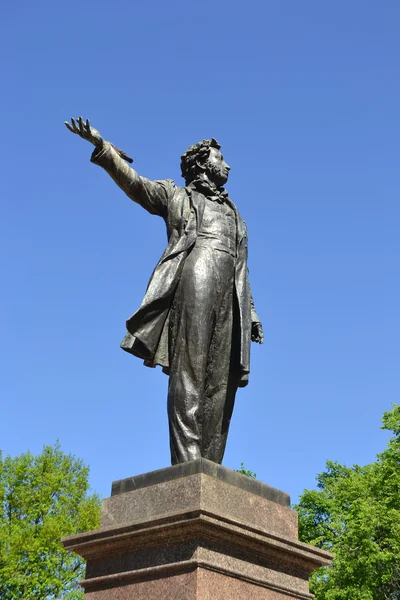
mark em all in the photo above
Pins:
pixel 204 160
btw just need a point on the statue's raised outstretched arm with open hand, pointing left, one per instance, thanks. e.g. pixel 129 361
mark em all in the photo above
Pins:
pixel 152 195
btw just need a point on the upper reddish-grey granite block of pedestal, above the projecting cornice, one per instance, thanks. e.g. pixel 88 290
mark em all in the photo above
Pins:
pixel 201 486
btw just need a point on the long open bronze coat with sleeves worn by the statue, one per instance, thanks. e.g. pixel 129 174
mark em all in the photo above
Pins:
pixel 182 209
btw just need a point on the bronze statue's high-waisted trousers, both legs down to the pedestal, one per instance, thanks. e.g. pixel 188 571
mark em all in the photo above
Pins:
pixel 203 370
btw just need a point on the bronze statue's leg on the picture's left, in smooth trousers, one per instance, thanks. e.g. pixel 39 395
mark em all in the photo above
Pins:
pixel 192 321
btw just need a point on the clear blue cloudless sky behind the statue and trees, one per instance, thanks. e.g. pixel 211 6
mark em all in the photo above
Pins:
pixel 304 98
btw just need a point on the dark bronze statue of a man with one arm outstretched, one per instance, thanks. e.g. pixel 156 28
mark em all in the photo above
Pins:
pixel 197 318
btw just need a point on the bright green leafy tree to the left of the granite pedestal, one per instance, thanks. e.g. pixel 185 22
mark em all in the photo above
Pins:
pixel 42 499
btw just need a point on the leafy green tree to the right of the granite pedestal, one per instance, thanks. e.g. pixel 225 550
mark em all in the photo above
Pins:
pixel 355 513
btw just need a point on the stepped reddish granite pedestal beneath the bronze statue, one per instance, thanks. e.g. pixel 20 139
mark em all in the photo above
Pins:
pixel 196 531
